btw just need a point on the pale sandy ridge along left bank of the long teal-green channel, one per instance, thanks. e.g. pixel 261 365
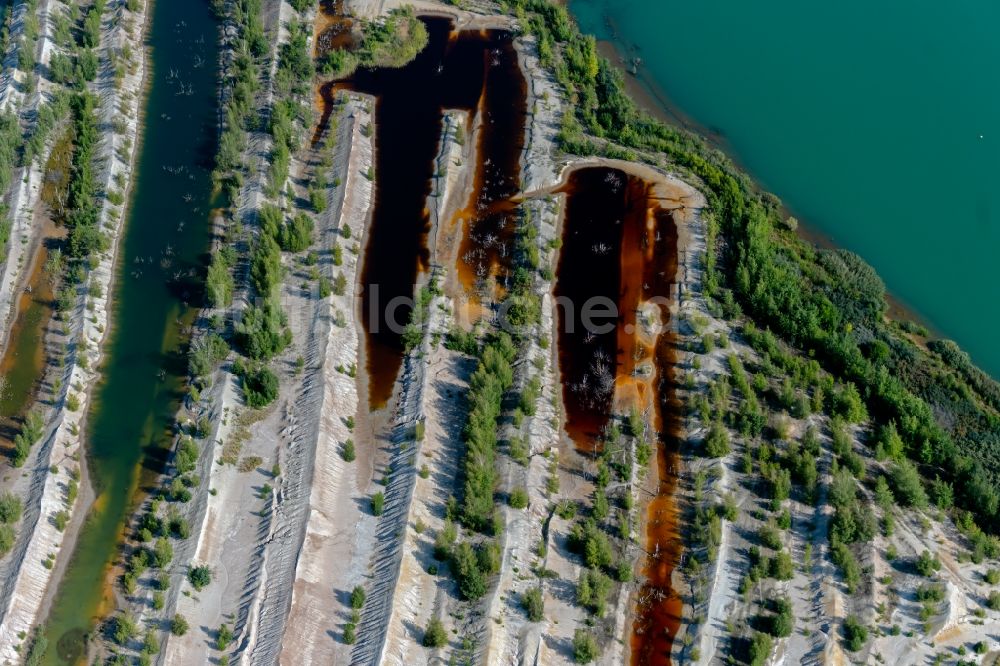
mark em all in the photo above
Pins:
pixel 26 589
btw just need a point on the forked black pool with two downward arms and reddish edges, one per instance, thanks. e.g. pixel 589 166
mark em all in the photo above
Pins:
pixel 467 70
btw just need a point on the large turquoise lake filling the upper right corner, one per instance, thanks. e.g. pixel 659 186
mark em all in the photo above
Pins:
pixel 878 124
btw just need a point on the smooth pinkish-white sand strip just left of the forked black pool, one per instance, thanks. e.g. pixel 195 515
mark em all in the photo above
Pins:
pixel 340 526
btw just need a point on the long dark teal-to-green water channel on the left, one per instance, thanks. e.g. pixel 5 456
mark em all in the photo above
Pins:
pixel 159 273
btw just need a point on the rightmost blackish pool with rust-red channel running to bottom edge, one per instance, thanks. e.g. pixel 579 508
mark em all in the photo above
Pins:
pixel 619 244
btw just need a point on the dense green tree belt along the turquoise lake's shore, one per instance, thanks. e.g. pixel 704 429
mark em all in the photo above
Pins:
pixel 829 304
